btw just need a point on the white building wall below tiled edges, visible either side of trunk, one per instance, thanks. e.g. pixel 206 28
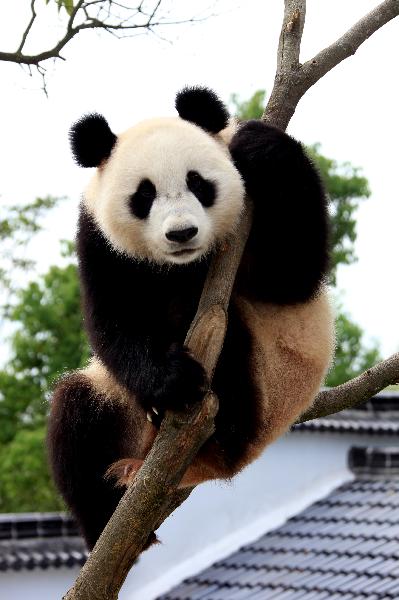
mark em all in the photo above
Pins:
pixel 218 518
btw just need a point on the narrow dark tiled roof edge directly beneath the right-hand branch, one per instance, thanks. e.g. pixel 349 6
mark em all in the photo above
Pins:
pixel 380 415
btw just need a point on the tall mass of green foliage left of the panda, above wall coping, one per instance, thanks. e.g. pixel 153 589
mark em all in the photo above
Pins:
pixel 48 340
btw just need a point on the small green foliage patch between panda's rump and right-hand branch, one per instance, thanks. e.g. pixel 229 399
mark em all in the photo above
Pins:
pixel 352 356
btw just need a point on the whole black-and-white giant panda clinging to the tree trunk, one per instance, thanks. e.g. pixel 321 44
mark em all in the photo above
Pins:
pixel 165 195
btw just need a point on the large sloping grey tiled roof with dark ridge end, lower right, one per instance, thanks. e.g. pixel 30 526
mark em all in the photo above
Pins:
pixel 343 547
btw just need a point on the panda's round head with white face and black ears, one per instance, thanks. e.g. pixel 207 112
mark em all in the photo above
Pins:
pixel 166 190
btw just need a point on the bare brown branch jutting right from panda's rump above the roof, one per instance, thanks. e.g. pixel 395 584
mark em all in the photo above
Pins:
pixel 356 391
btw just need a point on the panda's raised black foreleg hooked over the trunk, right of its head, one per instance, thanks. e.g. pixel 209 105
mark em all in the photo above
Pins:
pixel 287 254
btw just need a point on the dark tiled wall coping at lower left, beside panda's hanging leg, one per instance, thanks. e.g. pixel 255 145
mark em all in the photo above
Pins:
pixel 39 540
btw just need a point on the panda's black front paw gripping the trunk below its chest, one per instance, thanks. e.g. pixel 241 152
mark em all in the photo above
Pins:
pixel 185 382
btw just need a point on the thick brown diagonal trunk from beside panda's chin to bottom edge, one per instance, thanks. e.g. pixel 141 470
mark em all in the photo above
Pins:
pixel 153 495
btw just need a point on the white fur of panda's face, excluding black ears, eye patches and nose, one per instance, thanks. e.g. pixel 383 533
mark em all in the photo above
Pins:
pixel 164 151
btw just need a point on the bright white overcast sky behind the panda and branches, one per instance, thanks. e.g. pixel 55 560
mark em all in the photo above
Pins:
pixel 352 112
